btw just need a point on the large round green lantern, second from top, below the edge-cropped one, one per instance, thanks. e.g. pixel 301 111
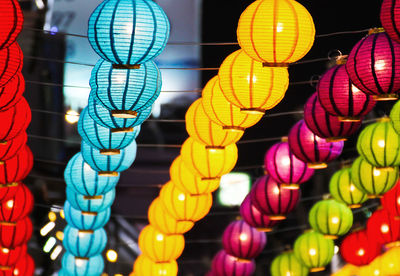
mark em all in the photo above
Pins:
pixel 379 144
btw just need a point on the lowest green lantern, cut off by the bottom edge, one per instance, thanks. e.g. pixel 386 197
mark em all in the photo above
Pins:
pixel 287 264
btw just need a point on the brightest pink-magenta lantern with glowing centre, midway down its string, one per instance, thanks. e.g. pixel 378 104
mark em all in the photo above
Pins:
pixel 283 166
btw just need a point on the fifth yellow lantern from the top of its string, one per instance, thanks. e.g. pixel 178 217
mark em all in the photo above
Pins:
pixel 209 164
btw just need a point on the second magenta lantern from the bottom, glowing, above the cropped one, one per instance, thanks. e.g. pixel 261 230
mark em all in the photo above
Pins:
pixel 243 241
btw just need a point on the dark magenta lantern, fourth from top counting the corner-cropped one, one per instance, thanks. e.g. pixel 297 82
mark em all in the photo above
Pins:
pixel 325 125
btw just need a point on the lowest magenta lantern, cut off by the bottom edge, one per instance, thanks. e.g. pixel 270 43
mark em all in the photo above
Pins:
pixel 224 264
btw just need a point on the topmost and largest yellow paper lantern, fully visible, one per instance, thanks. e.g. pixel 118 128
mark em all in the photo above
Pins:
pixel 276 32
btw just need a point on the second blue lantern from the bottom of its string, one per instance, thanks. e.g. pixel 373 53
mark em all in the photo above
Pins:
pixel 84 244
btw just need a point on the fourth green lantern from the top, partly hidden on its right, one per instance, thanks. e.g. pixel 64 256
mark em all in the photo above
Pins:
pixel 342 189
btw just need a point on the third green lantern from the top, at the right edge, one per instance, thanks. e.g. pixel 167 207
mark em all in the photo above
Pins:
pixel 373 180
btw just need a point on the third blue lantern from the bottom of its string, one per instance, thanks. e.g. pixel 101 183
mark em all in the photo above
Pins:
pixel 85 220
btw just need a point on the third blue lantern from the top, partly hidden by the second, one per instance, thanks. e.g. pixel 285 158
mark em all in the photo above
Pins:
pixel 102 138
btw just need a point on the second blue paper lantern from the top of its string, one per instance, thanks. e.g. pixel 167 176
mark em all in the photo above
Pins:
pixel 126 92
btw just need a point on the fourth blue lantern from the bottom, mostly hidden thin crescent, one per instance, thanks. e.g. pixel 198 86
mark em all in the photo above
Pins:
pixel 92 204
